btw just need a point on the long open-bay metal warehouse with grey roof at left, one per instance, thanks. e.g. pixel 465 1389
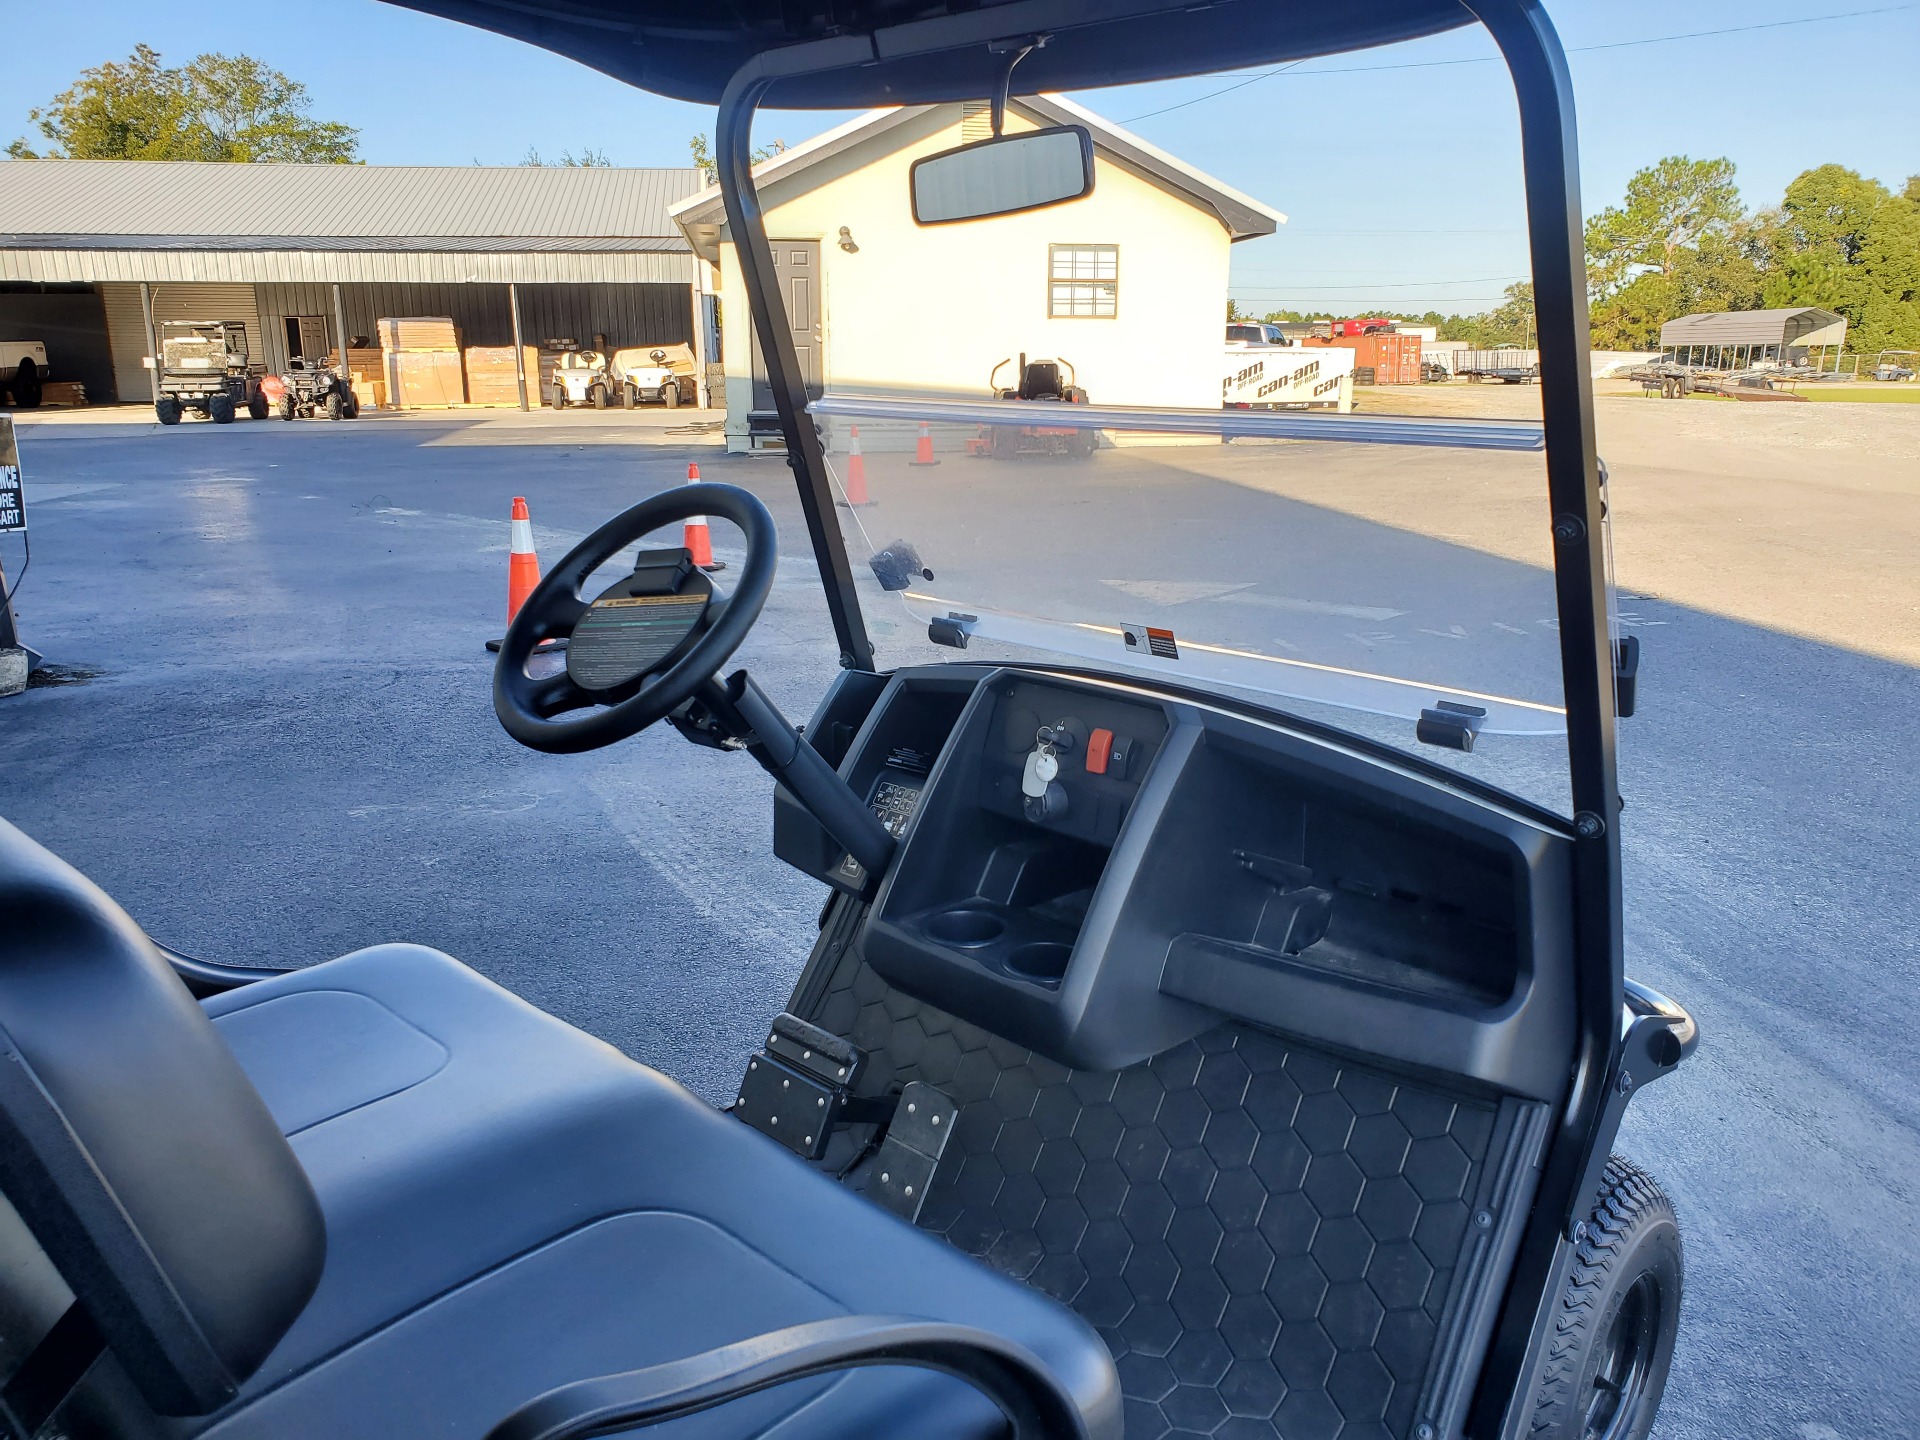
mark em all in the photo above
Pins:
pixel 97 252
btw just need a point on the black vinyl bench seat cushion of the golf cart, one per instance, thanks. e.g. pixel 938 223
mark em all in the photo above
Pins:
pixel 514 1207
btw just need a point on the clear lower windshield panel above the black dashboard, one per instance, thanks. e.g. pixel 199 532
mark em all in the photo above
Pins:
pixel 1387 577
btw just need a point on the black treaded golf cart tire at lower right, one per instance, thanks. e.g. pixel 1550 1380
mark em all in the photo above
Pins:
pixel 1627 1264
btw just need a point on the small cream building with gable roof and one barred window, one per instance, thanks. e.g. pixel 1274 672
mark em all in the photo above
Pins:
pixel 1128 283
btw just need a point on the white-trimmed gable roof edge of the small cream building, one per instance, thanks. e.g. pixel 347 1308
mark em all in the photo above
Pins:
pixel 1243 216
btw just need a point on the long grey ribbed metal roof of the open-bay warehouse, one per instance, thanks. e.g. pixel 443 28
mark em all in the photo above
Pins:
pixel 141 204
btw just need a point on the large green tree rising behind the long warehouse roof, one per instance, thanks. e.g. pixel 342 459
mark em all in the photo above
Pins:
pixel 216 108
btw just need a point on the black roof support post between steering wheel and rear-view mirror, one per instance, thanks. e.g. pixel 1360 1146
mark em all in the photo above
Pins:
pixel 805 456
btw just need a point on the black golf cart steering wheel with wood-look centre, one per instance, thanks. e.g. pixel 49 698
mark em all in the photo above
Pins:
pixel 644 646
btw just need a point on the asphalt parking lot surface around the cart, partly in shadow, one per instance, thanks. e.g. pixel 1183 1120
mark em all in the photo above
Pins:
pixel 276 744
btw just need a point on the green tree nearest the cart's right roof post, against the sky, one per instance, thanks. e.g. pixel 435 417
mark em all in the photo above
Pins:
pixel 1669 208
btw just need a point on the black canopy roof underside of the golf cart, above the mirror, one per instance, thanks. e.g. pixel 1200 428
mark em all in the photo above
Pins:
pixel 692 51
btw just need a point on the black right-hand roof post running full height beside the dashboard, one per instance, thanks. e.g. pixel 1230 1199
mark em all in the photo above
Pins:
pixel 1577 1147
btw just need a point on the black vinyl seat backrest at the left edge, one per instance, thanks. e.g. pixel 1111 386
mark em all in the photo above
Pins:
pixel 135 1149
